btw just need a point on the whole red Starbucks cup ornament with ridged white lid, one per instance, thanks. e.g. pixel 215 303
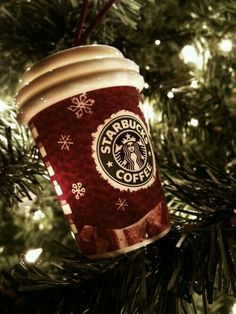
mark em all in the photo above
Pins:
pixel 82 107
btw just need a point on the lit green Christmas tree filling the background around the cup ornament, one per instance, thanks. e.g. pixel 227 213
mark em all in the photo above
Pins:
pixel 186 54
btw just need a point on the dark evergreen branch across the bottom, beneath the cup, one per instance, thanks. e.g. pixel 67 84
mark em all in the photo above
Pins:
pixel 149 280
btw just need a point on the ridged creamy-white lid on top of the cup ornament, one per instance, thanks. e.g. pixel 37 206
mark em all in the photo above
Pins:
pixel 73 71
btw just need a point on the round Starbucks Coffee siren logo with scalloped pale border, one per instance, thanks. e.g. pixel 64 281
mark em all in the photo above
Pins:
pixel 123 153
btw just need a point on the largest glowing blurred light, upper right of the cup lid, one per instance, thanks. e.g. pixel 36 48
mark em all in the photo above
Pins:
pixel 191 55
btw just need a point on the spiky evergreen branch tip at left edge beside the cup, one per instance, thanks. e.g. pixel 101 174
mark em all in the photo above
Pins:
pixel 19 168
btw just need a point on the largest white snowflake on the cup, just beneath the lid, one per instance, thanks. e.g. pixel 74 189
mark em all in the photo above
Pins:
pixel 81 105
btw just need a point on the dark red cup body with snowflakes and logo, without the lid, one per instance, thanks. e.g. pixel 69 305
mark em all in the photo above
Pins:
pixel 100 160
